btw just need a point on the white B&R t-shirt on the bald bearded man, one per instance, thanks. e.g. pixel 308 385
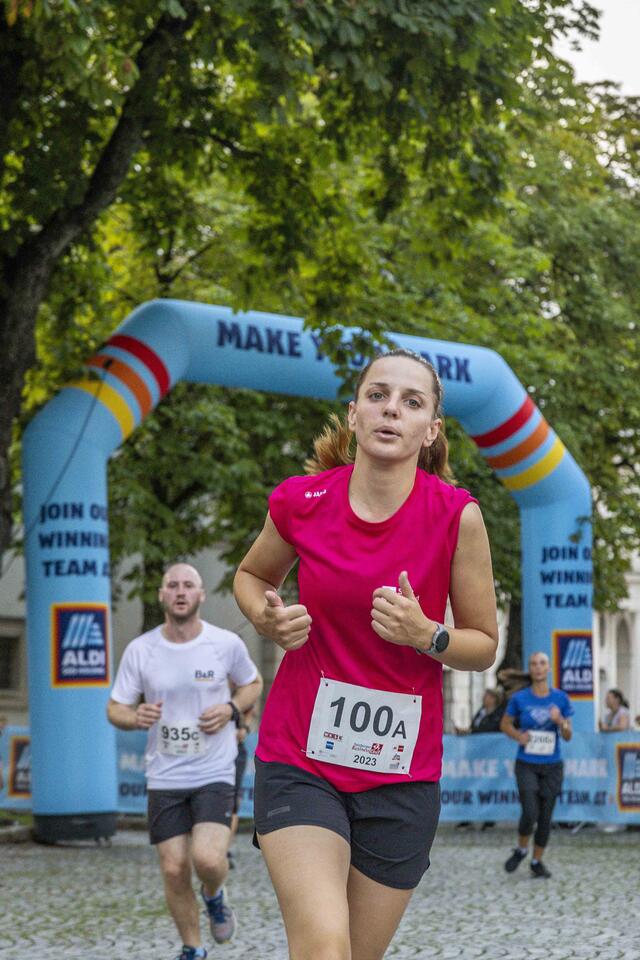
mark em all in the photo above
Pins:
pixel 187 678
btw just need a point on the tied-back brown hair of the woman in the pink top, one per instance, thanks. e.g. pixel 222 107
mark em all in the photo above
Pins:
pixel 335 446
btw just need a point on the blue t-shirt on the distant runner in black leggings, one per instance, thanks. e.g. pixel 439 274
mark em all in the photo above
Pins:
pixel 533 714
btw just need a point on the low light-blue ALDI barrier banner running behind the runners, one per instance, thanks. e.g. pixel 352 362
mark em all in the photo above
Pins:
pixel 601 776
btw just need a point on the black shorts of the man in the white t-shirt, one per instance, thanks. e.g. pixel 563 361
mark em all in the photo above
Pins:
pixel 172 813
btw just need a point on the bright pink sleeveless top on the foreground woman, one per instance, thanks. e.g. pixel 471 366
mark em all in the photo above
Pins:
pixel 343 559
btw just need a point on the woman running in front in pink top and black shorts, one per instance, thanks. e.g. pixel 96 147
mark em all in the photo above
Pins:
pixel 349 756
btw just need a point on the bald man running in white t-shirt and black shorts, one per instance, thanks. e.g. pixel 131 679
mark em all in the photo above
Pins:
pixel 174 682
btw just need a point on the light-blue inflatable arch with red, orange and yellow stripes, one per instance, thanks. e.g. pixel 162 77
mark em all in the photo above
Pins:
pixel 66 448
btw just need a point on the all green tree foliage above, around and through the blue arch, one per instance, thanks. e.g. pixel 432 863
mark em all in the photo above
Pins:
pixel 425 167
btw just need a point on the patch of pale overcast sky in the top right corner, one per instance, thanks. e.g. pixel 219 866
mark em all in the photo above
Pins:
pixel 616 56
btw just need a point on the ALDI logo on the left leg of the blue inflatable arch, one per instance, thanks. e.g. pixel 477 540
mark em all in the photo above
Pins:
pixel 79 645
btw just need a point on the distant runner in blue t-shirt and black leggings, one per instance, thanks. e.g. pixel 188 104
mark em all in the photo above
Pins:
pixel 536 718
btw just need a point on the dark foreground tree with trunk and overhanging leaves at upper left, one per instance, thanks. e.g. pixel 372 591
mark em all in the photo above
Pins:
pixel 97 97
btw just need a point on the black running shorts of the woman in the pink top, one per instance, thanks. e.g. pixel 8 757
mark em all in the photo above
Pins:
pixel 390 829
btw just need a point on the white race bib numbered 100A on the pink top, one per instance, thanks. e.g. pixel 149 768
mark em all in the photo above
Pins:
pixel 362 728
